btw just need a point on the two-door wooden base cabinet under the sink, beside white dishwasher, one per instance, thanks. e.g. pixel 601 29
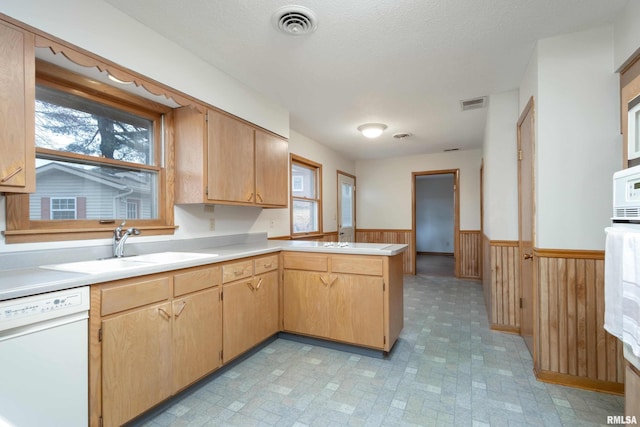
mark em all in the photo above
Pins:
pixel 151 337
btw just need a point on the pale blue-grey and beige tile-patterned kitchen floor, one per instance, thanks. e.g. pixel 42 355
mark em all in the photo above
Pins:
pixel 447 369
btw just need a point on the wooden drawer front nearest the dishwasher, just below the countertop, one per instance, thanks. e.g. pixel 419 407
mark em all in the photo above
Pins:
pixel 136 294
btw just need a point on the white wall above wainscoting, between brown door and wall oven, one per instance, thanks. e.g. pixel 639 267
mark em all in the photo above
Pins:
pixel 578 144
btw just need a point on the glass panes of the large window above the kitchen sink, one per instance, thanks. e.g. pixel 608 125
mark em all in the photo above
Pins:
pixel 94 151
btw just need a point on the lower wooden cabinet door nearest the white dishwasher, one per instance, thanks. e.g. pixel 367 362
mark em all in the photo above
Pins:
pixel 136 362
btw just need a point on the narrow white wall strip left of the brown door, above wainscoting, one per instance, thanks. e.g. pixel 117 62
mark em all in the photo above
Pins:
pixel 501 167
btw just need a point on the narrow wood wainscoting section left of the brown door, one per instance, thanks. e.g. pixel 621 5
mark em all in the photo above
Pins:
pixel 501 284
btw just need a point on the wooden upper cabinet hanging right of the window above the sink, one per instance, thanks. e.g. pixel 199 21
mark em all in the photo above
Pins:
pixel 221 159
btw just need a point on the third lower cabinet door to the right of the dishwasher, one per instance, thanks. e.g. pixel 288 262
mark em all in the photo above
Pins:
pixel 238 318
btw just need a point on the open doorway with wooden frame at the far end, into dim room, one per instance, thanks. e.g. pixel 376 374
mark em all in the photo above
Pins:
pixel 436 222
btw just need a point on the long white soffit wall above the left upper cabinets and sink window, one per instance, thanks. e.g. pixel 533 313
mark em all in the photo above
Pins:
pixel 100 28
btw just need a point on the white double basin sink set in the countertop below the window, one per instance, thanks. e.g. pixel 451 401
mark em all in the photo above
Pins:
pixel 98 266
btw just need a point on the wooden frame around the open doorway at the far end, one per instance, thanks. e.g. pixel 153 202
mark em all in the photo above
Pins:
pixel 456 211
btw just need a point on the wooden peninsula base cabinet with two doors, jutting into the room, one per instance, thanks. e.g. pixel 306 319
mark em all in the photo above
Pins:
pixel 353 299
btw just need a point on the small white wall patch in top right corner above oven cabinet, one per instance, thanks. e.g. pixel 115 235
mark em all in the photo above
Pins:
pixel 627 33
